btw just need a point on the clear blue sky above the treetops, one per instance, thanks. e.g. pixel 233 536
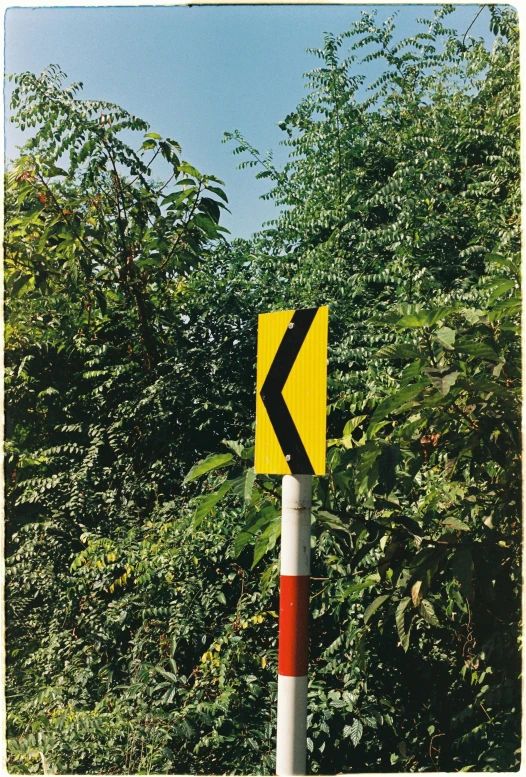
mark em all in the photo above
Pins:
pixel 196 72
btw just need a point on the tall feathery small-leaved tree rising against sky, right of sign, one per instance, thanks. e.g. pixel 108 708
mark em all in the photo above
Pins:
pixel 399 196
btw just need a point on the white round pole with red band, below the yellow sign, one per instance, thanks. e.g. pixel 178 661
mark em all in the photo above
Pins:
pixel 291 749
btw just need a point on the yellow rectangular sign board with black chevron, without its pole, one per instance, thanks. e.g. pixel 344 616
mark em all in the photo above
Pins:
pixel 291 392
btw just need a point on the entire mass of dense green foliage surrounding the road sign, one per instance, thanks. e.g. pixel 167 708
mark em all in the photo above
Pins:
pixel 142 551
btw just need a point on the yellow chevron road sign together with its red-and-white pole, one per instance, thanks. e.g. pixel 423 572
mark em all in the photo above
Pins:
pixel 291 398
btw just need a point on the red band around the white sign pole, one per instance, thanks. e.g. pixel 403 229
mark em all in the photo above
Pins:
pixel 293 625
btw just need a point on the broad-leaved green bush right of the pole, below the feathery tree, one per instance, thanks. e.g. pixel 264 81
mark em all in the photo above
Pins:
pixel 417 538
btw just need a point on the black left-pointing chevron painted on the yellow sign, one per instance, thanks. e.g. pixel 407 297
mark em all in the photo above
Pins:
pixel 271 392
